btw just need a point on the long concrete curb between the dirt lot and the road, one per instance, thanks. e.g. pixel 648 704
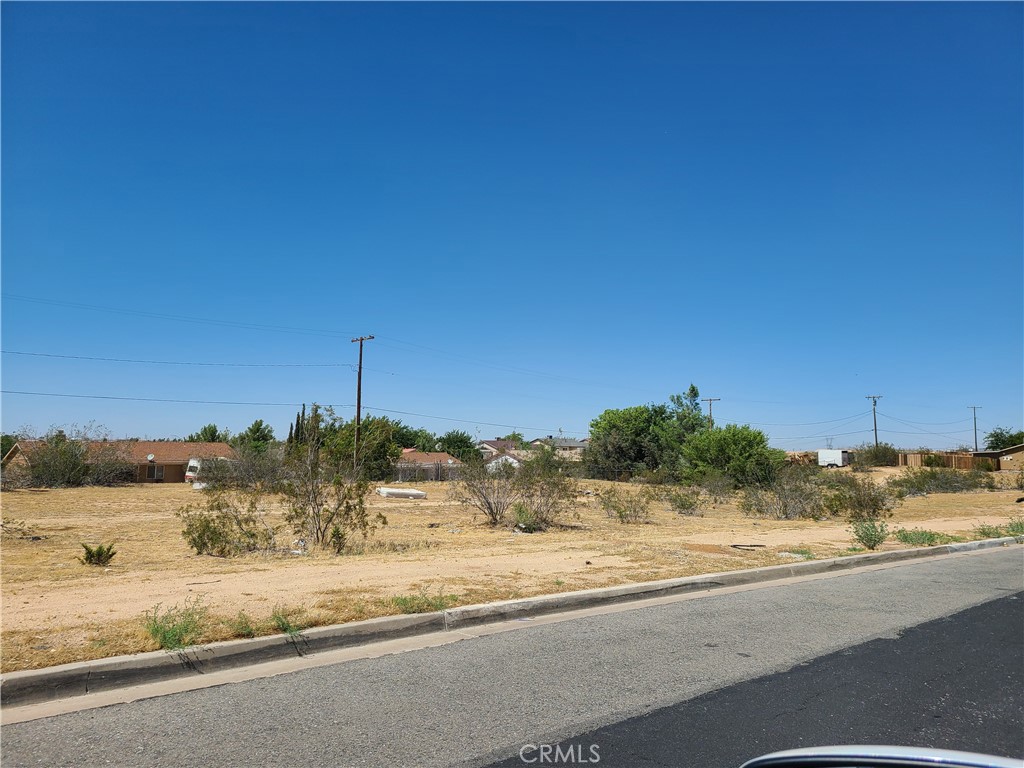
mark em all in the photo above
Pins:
pixel 34 687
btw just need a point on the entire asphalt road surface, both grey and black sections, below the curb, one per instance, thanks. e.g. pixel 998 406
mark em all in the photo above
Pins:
pixel 924 653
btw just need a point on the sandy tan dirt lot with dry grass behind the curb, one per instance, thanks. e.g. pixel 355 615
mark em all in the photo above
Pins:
pixel 56 610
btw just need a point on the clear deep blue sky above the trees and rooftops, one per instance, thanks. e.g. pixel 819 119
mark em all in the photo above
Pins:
pixel 540 210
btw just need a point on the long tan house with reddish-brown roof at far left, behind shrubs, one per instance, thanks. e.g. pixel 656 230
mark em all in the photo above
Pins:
pixel 155 461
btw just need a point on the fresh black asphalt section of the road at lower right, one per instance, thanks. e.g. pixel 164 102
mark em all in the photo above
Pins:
pixel 955 684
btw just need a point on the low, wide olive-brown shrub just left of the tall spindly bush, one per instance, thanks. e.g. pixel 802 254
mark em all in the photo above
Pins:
pixel 226 526
